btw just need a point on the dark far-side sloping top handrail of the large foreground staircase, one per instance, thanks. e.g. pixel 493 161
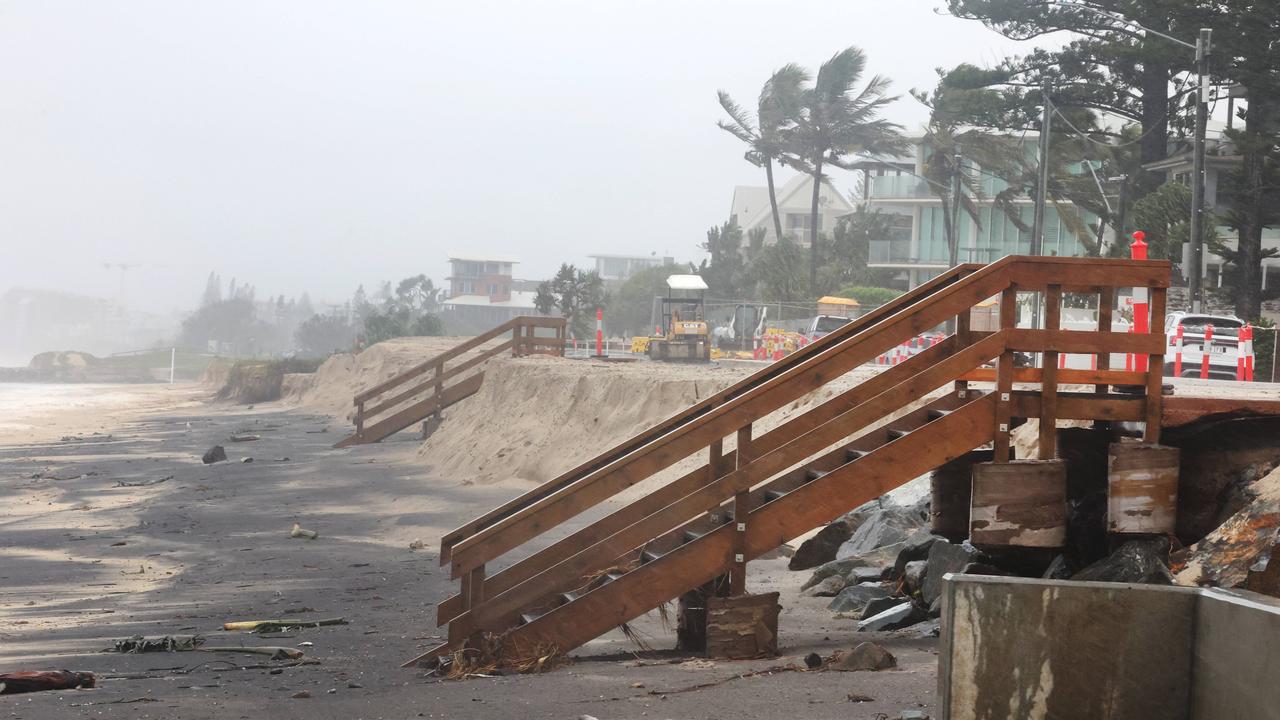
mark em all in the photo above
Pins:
pixel 700 409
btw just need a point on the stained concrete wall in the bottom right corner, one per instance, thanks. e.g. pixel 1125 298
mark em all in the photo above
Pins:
pixel 1016 648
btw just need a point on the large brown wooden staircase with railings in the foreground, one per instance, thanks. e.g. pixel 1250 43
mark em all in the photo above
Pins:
pixel 778 485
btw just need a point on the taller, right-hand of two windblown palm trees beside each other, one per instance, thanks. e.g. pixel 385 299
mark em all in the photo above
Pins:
pixel 834 122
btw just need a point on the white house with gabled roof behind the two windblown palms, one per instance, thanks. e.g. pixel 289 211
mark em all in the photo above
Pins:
pixel 796 200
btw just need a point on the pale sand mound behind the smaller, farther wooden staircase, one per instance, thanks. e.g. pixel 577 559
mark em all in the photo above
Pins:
pixel 331 389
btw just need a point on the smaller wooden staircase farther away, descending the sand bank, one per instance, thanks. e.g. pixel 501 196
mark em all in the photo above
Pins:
pixel 426 390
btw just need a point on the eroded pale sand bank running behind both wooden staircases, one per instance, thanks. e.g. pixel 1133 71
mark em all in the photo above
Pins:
pixel 536 418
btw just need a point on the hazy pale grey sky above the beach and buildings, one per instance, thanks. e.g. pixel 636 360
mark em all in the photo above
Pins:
pixel 318 145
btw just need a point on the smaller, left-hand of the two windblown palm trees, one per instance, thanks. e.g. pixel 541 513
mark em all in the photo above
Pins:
pixel 776 112
